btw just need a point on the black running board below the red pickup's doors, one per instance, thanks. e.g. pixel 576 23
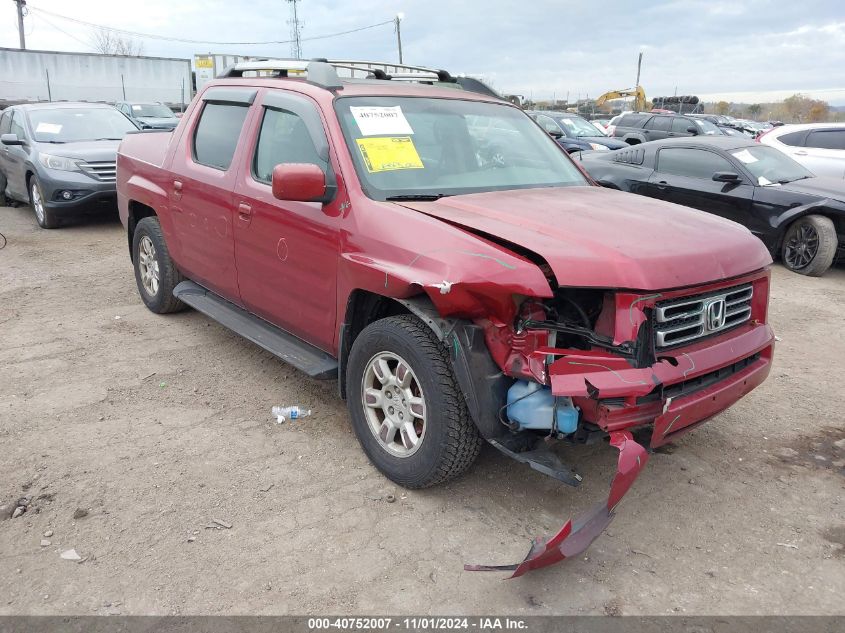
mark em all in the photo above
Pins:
pixel 305 357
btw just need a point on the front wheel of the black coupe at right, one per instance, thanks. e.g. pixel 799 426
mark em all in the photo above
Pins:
pixel 809 245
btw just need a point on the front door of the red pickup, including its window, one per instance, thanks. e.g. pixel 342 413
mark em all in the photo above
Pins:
pixel 286 252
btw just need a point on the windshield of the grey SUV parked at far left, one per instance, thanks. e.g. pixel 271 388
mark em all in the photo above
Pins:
pixel 67 125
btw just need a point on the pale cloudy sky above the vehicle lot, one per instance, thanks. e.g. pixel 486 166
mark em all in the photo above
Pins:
pixel 740 50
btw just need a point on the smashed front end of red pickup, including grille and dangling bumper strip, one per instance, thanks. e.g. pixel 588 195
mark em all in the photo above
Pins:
pixel 588 364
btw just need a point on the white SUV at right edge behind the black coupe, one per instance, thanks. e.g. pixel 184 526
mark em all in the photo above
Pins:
pixel 820 147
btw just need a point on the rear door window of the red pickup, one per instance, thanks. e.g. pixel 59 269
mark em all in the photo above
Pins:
pixel 217 134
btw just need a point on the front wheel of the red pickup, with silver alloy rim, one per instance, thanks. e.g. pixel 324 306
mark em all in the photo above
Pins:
pixel 448 442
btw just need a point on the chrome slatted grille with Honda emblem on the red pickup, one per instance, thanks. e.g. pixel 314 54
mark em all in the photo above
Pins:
pixel 686 319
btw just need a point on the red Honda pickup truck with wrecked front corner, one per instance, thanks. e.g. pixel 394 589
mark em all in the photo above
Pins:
pixel 442 257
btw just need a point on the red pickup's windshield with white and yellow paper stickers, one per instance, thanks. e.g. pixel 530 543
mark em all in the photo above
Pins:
pixel 421 147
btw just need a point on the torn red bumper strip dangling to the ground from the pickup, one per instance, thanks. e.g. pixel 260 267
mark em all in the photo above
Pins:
pixel 576 536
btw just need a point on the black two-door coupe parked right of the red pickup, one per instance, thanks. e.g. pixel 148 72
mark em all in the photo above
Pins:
pixel 795 213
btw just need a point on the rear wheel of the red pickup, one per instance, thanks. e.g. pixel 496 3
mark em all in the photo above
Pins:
pixel 155 272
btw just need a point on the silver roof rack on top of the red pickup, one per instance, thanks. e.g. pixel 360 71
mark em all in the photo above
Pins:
pixel 324 72
